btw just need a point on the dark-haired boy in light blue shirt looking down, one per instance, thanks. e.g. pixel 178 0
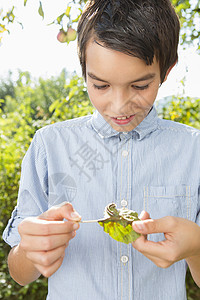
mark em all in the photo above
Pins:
pixel 122 154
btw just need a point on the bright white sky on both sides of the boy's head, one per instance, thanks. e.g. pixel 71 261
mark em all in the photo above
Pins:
pixel 35 49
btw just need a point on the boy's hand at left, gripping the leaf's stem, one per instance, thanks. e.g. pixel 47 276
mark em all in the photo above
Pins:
pixel 45 238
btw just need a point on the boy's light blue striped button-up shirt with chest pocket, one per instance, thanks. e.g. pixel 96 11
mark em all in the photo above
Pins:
pixel 155 167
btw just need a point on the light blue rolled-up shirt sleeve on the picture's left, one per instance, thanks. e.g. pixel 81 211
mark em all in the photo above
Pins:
pixel 33 191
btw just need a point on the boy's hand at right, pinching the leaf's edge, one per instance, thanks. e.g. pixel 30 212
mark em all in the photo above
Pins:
pixel 182 239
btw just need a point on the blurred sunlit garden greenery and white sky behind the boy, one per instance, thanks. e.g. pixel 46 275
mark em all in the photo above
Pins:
pixel 41 83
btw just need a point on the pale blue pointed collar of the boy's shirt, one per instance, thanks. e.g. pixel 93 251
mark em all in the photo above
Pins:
pixel 104 130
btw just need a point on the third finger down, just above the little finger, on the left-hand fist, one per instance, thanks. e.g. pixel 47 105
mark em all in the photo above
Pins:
pixel 46 258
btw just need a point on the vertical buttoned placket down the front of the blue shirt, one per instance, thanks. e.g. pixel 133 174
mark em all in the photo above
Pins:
pixel 123 200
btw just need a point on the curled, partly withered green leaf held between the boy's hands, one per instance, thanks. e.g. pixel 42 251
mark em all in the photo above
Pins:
pixel 118 224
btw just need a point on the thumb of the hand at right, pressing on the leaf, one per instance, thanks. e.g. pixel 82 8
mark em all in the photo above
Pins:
pixel 152 226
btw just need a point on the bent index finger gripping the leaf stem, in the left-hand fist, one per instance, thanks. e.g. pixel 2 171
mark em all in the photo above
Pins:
pixel 37 226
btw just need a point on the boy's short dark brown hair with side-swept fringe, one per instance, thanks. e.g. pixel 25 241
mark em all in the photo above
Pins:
pixel 141 28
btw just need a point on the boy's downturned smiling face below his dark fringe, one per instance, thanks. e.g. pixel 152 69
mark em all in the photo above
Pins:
pixel 121 87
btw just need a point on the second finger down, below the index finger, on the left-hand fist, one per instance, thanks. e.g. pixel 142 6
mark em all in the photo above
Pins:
pixel 45 243
